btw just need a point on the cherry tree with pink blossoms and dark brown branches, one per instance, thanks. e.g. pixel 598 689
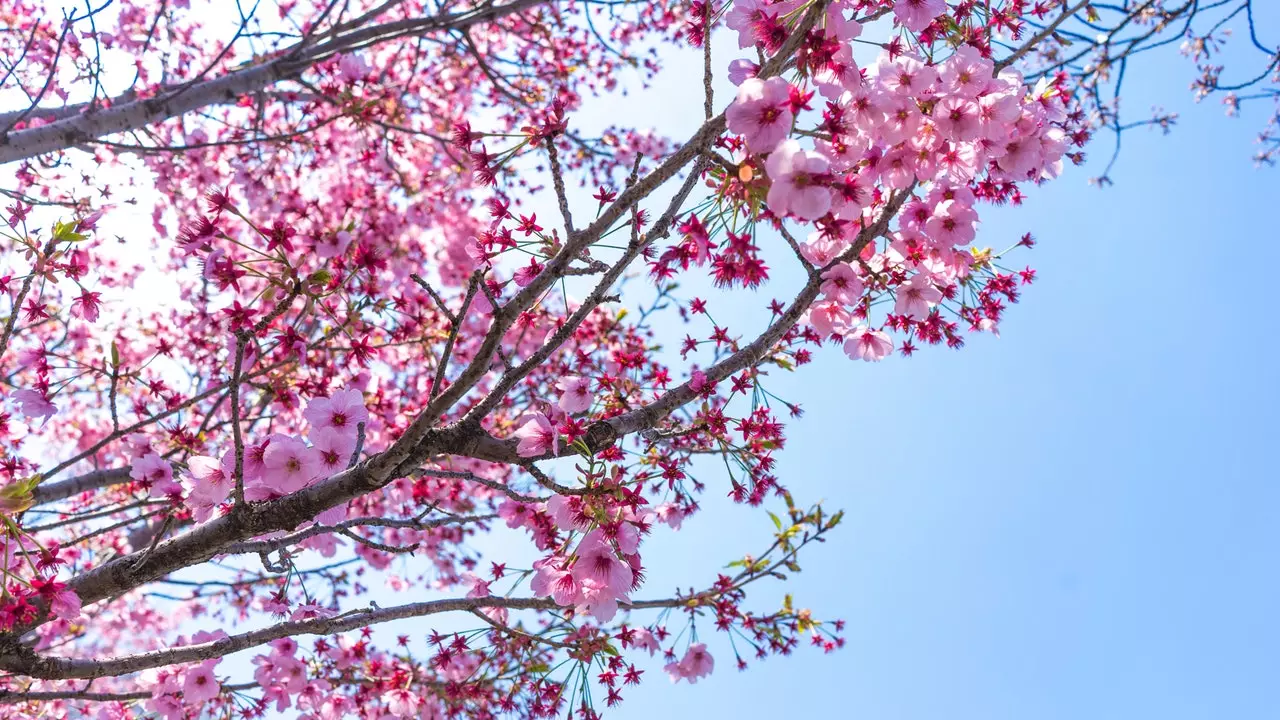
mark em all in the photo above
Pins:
pixel 286 341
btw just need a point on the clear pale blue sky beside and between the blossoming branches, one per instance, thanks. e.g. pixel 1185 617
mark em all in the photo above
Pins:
pixel 1078 520
